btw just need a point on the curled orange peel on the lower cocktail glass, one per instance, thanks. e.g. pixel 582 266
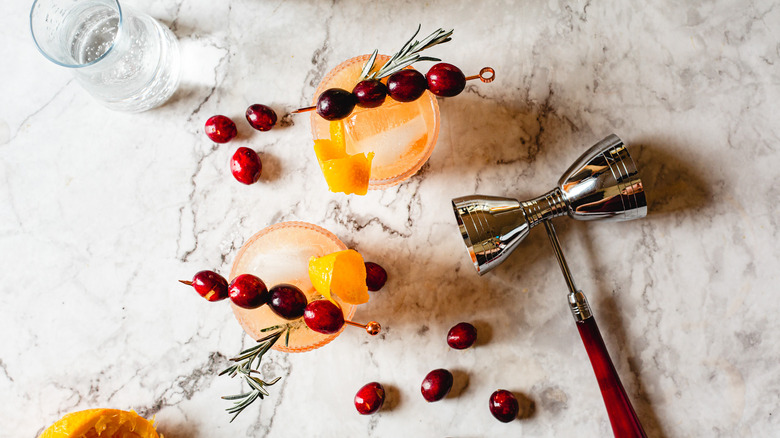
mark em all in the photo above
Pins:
pixel 342 273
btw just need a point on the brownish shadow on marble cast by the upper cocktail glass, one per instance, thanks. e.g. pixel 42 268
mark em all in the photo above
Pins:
pixel 504 144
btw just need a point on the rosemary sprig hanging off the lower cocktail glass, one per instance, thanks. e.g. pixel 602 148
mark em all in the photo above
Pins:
pixel 243 366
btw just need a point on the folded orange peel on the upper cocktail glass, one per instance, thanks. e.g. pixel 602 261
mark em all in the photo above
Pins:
pixel 343 172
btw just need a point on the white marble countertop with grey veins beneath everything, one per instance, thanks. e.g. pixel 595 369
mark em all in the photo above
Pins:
pixel 102 212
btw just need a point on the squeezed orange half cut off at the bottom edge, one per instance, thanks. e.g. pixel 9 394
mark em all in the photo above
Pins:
pixel 95 423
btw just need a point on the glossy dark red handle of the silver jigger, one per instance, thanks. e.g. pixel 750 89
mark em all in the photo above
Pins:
pixel 625 423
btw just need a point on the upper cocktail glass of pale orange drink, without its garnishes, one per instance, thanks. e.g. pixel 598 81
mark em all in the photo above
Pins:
pixel 401 135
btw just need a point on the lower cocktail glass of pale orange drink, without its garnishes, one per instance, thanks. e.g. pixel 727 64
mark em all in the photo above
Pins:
pixel 280 254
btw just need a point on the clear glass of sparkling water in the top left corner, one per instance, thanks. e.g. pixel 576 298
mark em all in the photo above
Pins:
pixel 126 60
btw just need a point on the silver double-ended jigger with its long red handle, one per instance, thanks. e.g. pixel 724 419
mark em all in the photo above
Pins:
pixel 603 184
